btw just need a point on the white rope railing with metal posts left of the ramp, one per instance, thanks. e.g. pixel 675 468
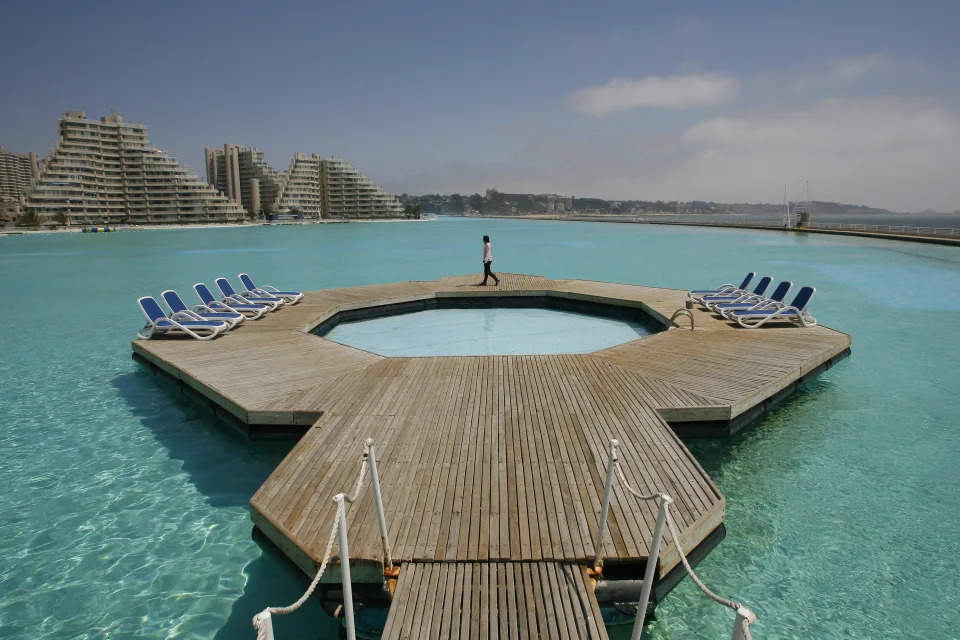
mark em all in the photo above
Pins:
pixel 263 622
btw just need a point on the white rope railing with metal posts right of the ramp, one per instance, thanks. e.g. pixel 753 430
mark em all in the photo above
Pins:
pixel 745 617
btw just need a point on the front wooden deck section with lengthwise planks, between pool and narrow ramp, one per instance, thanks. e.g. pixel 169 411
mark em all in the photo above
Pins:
pixel 487 458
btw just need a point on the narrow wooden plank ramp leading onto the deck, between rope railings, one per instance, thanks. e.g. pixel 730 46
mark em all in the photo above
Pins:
pixel 494 601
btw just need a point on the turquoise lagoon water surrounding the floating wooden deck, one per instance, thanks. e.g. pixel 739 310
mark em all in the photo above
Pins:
pixel 125 508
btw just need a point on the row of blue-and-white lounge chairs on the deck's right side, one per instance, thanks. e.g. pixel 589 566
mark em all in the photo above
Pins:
pixel 752 309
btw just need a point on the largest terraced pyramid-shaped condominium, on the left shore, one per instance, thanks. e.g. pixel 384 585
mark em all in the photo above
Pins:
pixel 108 172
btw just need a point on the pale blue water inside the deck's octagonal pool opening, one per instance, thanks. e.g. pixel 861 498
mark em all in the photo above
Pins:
pixel 479 332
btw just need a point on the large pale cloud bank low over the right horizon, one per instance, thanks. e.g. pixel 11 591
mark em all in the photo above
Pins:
pixel 889 152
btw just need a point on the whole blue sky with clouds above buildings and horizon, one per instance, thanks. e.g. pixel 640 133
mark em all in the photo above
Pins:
pixel 705 100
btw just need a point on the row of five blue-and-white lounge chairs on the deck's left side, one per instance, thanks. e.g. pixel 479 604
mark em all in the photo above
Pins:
pixel 213 316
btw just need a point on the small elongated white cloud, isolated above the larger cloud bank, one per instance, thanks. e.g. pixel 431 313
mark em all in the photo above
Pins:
pixel 676 92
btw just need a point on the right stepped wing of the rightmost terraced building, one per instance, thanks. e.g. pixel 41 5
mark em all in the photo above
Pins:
pixel 347 193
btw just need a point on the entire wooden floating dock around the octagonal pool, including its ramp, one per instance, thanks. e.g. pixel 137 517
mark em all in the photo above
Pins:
pixel 492 468
